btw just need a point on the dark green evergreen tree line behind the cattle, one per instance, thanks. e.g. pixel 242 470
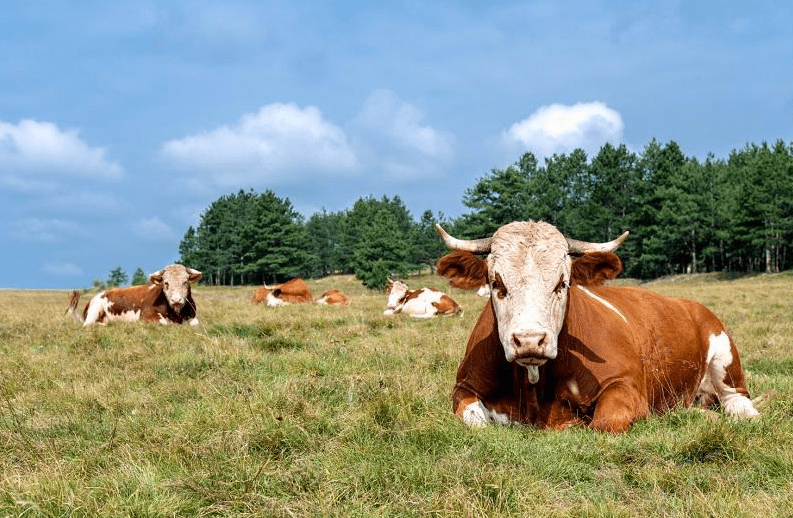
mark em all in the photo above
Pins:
pixel 684 215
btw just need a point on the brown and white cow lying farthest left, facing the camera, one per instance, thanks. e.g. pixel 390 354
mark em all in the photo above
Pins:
pixel 168 299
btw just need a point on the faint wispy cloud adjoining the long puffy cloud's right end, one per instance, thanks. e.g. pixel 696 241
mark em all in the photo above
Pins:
pixel 391 135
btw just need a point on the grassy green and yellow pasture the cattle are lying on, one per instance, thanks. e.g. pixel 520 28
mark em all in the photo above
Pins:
pixel 341 411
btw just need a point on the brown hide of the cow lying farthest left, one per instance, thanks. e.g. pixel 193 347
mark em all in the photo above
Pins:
pixel 150 300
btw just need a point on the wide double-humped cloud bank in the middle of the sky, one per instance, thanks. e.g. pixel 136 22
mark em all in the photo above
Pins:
pixel 286 144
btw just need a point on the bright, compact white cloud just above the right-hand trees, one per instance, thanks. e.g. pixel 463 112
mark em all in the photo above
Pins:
pixel 559 128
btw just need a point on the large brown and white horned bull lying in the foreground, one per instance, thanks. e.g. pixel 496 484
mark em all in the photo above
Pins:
pixel 554 346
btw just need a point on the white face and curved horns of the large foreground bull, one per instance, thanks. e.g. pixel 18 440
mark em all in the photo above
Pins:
pixel 529 273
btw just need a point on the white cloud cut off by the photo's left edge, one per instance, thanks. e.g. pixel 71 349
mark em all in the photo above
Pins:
pixel 42 148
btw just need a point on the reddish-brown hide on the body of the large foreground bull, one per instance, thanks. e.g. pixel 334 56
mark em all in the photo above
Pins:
pixel 609 371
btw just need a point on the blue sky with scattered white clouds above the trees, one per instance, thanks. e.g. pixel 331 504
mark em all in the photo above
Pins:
pixel 120 122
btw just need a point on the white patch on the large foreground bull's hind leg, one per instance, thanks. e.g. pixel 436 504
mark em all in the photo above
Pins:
pixel 719 358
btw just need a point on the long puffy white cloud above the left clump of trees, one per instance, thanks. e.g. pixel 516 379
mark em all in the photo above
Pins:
pixel 280 143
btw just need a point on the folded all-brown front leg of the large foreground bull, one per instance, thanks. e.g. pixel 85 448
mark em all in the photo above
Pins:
pixel 618 406
